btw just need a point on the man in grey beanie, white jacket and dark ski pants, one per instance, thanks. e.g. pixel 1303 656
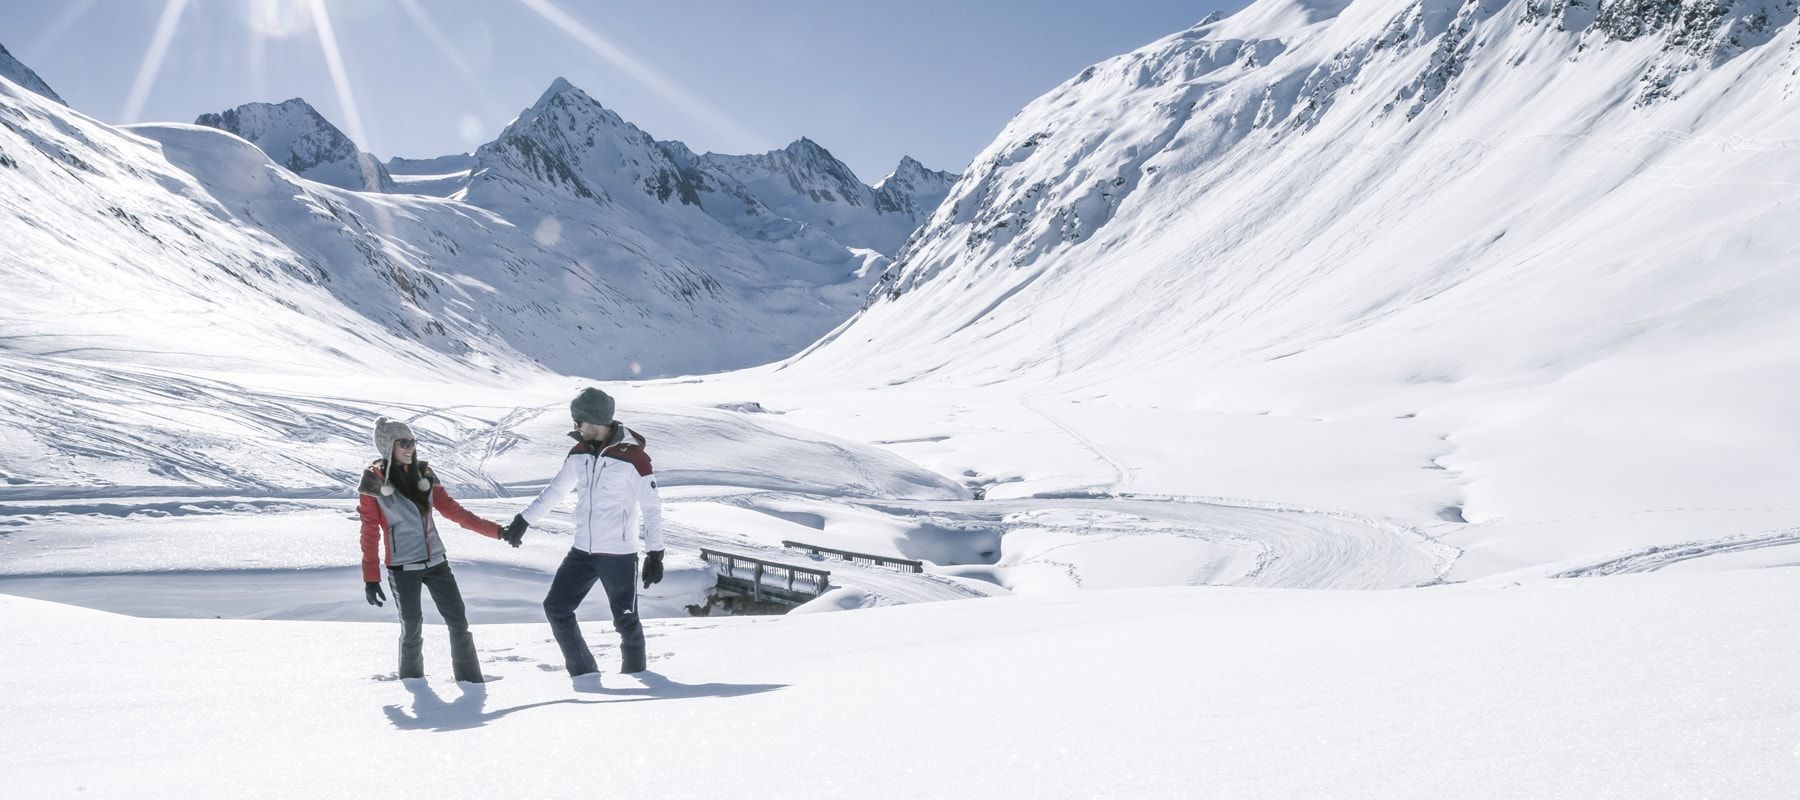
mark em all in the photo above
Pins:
pixel 615 487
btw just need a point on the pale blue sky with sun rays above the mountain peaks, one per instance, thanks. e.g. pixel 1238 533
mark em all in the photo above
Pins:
pixel 868 80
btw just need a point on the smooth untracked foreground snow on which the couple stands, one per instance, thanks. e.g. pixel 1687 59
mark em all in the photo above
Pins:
pixel 1158 693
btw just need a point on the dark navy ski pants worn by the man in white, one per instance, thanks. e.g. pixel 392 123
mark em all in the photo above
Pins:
pixel 575 579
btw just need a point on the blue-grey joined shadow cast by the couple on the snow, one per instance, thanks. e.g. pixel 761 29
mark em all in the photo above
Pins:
pixel 433 713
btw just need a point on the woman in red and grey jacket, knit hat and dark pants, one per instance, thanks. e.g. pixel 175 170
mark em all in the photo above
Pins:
pixel 399 495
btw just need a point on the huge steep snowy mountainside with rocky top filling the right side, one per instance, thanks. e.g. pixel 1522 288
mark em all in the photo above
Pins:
pixel 1516 266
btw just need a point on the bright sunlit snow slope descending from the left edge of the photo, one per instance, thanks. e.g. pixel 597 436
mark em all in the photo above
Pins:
pixel 116 255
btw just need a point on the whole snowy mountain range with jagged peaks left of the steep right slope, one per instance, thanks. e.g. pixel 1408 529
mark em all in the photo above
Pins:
pixel 573 241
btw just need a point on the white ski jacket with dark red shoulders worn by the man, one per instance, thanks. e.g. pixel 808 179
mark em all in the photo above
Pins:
pixel 615 495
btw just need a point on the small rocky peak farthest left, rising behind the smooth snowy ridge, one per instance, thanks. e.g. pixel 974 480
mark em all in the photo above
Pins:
pixel 298 138
